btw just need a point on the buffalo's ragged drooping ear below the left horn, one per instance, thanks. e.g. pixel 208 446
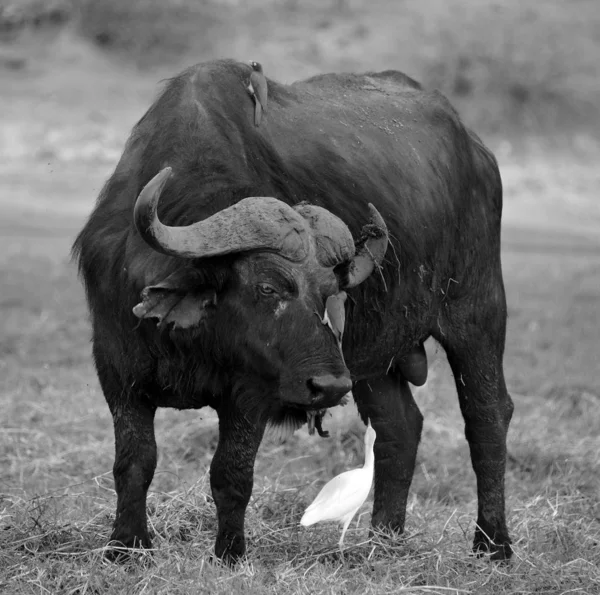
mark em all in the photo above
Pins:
pixel 169 302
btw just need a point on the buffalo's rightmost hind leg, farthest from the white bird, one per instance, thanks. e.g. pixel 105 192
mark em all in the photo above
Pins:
pixel 475 352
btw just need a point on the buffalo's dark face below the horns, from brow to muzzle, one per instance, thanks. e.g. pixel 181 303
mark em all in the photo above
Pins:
pixel 280 304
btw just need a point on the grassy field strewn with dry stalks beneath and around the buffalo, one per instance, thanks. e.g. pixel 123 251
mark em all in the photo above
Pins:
pixel 57 499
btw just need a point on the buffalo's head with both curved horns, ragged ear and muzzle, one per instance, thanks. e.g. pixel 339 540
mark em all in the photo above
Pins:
pixel 268 321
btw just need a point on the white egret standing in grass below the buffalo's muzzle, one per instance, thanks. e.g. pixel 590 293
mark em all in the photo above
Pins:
pixel 340 498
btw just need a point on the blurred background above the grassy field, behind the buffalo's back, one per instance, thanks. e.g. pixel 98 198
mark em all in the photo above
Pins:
pixel 76 74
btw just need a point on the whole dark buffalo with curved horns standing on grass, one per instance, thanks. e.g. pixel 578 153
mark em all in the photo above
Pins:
pixel 213 291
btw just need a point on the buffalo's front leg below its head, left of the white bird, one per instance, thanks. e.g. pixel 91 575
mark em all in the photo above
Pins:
pixel 232 476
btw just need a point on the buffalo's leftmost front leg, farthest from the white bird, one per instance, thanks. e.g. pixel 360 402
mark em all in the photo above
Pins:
pixel 135 456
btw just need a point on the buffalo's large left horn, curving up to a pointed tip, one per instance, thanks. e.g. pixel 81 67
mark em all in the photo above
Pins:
pixel 253 223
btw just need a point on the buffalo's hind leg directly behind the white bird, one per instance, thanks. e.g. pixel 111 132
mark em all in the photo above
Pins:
pixel 388 402
